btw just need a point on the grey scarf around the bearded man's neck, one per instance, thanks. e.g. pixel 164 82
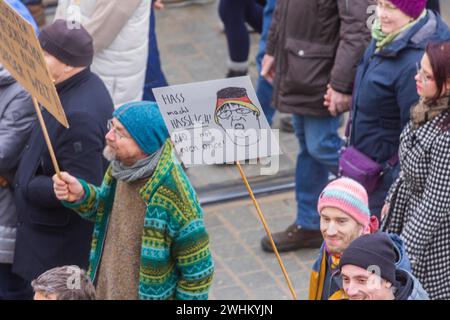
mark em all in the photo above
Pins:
pixel 142 169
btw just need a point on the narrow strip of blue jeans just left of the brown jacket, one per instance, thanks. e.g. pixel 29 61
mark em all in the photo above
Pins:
pixel 264 89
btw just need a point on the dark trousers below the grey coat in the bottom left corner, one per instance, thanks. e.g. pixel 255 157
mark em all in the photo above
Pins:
pixel 13 287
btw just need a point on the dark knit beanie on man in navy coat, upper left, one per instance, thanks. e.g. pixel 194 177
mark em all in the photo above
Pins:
pixel 70 45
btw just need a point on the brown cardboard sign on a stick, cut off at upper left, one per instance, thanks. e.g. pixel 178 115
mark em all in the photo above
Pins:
pixel 22 56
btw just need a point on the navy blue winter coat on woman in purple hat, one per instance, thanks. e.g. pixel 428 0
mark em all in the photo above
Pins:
pixel 385 89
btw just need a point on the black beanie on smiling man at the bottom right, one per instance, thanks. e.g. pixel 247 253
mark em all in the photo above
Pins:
pixel 372 250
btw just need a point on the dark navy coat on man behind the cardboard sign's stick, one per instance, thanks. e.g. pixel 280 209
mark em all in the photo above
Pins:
pixel 48 234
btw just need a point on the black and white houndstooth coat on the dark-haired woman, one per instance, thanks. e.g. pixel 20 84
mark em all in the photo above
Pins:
pixel 420 204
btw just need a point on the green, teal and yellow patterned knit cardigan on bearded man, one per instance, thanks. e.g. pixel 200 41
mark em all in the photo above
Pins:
pixel 176 262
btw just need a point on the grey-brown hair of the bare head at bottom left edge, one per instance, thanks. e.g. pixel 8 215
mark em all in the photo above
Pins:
pixel 67 283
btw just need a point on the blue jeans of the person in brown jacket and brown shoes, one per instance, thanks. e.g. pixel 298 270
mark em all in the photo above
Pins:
pixel 319 155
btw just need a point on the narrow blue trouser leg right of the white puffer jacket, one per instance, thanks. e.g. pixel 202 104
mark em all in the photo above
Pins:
pixel 154 77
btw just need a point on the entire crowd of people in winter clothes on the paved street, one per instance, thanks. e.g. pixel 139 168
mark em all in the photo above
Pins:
pixel 122 220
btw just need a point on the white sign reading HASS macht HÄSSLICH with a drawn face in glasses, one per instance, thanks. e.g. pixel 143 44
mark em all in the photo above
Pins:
pixel 218 121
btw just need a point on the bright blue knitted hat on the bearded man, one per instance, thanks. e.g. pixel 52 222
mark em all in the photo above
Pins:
pixel 144 122
